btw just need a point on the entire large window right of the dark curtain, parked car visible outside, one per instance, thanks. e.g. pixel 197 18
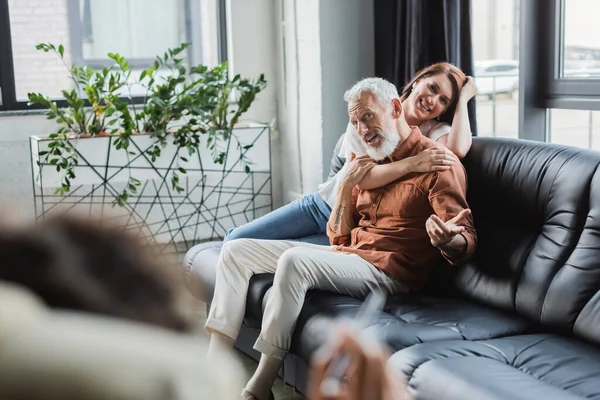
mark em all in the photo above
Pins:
pixel 537 67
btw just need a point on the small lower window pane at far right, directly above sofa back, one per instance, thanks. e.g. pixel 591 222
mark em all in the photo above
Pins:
pixel 579 128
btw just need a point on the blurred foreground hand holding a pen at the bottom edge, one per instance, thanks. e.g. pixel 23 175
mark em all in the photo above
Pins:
pixel 368 376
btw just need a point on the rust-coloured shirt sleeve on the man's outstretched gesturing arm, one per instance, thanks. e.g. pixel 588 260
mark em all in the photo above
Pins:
pixel 448 197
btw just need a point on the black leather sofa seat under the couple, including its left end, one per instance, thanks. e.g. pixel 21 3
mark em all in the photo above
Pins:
pixel 407 319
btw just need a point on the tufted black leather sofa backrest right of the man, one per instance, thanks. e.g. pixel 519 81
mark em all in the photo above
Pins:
pixel 536 208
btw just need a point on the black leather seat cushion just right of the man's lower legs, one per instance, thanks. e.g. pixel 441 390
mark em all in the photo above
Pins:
pixel 405 321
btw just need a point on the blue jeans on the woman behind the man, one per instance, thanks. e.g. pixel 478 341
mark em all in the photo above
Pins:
pixel 304 220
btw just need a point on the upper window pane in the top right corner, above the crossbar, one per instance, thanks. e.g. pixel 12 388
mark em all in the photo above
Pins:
pixel 581 49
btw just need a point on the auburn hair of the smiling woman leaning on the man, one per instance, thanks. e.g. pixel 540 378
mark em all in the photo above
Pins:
pixel 454 74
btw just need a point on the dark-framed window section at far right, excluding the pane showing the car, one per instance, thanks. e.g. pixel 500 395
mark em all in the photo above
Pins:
pixel 562 72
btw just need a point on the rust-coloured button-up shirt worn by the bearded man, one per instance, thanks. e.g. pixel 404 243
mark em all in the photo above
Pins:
pixel 390 231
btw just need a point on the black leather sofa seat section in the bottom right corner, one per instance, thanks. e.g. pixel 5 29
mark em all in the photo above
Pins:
pixel 538 366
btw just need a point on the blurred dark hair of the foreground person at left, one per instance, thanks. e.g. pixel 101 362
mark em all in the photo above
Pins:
pixel 78 264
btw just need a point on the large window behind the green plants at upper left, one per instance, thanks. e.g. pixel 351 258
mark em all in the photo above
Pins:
pixel 89 29
